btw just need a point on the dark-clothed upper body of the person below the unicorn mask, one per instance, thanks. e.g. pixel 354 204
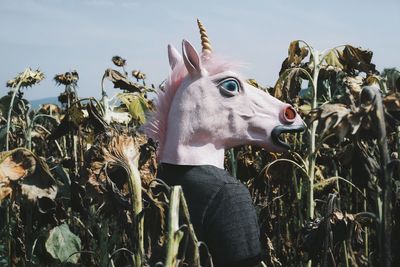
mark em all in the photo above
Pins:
pixel 221 211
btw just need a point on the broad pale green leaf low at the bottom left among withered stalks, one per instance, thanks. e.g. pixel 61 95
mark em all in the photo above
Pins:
pixel 62 243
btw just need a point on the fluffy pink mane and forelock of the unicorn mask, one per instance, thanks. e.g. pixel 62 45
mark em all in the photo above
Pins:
pixel 157 125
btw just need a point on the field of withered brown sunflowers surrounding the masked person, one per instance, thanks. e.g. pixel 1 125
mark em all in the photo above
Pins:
pixel 72 184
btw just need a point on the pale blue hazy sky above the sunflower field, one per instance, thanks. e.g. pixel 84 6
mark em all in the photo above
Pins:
pixel 58 36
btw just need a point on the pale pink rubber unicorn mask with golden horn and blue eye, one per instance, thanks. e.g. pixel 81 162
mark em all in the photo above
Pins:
pixel 207 106
